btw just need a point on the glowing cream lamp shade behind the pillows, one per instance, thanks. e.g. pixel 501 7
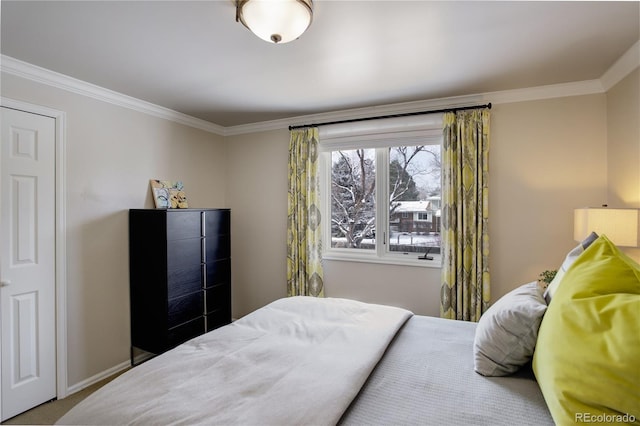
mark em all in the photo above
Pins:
pixel 619 225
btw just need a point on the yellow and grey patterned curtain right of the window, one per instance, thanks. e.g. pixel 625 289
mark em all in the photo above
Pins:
pixel 465 292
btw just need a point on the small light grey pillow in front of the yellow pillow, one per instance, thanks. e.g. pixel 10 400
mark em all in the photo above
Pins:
pixel 506 333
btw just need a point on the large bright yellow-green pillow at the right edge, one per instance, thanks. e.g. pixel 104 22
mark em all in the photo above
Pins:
pixel 586 357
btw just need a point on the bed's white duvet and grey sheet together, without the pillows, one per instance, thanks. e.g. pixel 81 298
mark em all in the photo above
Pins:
pixel 259 370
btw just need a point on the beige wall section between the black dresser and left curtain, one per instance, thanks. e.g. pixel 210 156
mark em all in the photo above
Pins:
pixel 257 195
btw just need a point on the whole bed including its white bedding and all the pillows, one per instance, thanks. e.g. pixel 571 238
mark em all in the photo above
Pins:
pixel 310 361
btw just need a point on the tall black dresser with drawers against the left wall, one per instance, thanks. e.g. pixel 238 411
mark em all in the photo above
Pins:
pixel 180 275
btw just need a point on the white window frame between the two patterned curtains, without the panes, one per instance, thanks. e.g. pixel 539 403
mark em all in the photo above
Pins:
pixel 381 135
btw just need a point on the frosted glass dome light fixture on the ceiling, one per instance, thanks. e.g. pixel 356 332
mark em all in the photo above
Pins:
pixel 275 21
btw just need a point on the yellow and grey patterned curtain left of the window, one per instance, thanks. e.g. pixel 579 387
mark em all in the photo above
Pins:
pixel 304 247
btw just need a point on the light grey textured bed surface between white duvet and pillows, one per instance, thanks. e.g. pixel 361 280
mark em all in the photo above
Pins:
pixel 426 377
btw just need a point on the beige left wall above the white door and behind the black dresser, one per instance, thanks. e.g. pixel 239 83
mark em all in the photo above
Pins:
pixel 111 153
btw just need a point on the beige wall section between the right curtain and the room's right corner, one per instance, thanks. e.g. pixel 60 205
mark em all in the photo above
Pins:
pixel 547 158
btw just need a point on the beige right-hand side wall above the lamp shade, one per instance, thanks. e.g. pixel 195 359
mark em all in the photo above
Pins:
pixel 623 149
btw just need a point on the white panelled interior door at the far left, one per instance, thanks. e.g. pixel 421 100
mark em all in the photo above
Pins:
pixel 27 262
